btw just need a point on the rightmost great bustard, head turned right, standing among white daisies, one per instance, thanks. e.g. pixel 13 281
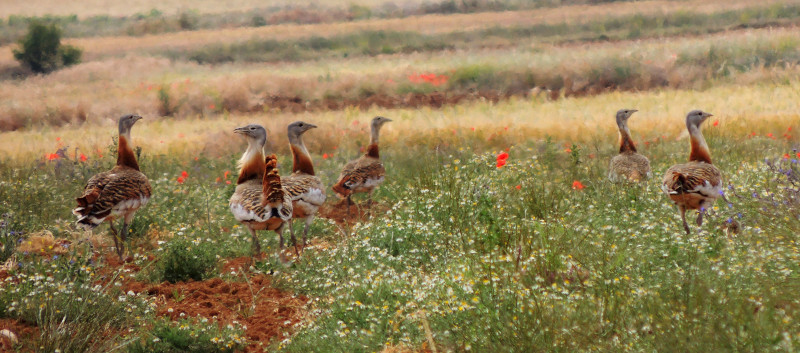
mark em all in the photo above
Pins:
pixel 697 184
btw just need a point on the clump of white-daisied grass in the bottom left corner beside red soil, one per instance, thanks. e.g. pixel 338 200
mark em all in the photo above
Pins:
pixel 65 295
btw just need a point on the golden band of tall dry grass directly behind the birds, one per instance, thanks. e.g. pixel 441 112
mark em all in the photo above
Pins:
pixel 741 110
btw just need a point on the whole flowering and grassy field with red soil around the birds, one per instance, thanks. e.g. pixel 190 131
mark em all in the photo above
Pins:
pixel 459 251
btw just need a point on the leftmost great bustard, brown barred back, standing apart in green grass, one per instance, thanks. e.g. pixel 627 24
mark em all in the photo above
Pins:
pixel 117 193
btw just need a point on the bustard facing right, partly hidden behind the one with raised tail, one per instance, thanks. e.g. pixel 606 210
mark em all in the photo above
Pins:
pixel 304 187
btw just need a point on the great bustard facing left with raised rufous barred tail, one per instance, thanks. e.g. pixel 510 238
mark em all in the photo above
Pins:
pixel 259 202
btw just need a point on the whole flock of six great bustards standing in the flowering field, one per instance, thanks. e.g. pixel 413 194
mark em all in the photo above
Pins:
pixel 263 200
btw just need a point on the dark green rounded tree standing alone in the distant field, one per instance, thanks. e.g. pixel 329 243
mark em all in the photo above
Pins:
pixel 41 49
